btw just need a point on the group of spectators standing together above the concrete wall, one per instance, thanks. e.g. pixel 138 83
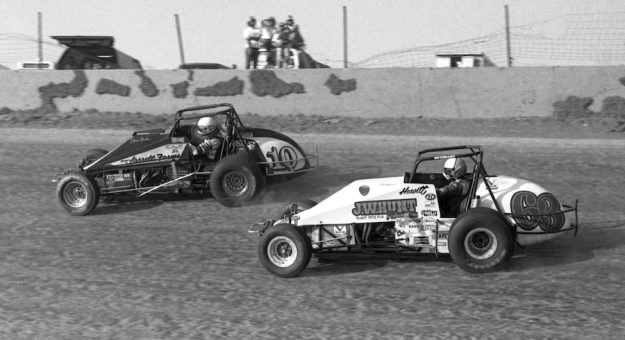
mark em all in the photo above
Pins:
pixel 275 44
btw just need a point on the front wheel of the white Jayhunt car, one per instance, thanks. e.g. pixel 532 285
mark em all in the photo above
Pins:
pixel 284 251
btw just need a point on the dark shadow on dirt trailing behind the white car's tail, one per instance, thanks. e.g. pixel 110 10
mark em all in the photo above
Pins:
pixel 568 249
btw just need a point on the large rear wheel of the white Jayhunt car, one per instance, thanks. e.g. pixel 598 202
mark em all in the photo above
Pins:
pixel 480 241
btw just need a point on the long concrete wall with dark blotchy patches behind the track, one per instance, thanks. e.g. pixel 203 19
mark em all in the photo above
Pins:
pixel 452 93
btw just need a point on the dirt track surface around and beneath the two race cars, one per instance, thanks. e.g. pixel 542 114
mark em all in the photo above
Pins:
pixel 171 267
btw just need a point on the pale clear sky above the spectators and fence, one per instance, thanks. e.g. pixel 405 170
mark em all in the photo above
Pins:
pixel 212 30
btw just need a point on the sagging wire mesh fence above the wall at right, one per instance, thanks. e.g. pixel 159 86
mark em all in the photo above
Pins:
pixel 569 40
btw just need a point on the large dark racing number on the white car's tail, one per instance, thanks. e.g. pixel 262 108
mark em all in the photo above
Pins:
pixel 539 211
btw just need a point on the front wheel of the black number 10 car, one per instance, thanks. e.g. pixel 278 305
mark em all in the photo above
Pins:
pixel 77 193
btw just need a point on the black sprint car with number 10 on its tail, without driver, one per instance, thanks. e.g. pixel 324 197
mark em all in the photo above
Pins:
pixel 156 161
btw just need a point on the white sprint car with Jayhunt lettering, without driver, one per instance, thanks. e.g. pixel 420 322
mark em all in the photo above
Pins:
pixel 405 214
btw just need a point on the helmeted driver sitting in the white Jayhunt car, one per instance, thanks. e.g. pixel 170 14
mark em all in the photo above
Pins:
pixel 451 195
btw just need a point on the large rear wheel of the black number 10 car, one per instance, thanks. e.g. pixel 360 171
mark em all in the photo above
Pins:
pixel 235 180
